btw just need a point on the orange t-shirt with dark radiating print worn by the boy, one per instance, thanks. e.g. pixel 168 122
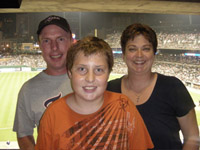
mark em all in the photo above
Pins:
pixel 116 125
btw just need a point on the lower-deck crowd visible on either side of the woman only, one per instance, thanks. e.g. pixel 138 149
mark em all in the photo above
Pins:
pixel 187 69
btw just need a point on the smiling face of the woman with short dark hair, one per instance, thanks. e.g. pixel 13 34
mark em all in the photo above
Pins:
pixel 139 55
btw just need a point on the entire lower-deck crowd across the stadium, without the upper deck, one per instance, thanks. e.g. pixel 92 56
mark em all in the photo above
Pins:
pixel 185 68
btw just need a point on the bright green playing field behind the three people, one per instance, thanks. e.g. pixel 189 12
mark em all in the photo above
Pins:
pixel 11 83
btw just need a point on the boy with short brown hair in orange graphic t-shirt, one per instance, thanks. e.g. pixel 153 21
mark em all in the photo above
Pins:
pixel 92 118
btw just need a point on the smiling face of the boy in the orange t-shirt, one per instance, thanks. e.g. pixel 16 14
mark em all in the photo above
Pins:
pixel 89 75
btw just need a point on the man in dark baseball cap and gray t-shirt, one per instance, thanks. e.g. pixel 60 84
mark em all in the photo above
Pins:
pixel 55 37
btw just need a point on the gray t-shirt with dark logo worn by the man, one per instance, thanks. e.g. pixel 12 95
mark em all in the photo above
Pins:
pixel 34 97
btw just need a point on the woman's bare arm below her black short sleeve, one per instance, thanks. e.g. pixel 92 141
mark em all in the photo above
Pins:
pixel 189 128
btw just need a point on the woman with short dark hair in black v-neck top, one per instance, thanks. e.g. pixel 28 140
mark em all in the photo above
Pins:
pixel 163 101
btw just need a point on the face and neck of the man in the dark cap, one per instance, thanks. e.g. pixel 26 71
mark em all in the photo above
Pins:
pixel 54 43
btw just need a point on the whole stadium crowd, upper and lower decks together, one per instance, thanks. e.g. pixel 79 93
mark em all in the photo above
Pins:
pixel 184 67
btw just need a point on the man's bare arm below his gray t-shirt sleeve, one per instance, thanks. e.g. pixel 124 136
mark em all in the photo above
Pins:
pixel 26 142
